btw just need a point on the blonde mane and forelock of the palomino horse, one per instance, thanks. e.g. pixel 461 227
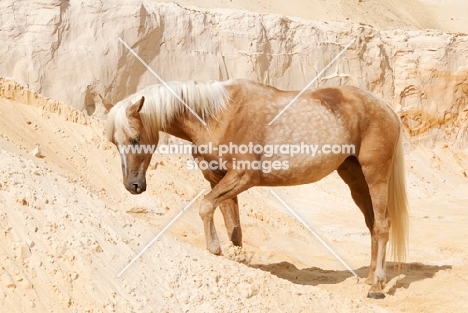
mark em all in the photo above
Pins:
pixel 161 106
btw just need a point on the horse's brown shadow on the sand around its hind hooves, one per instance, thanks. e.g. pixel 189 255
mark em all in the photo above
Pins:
pixel 316 276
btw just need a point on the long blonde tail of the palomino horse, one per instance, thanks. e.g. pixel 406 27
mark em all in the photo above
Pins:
pixel 398 207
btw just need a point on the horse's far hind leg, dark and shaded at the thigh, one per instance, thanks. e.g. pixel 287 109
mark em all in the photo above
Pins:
pixel 351 173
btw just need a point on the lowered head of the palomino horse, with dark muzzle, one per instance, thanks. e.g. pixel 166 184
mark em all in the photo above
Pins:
pixel 125 129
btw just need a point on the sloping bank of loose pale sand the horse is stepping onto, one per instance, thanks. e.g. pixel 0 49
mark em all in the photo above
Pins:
pixel 69 228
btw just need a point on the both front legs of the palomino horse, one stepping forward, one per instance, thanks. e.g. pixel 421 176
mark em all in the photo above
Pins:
pixel 233 183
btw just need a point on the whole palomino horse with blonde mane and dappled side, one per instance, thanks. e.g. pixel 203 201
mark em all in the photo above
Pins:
pixel 237 112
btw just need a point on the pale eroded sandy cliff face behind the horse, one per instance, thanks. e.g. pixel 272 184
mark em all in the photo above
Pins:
pixel 70 51
